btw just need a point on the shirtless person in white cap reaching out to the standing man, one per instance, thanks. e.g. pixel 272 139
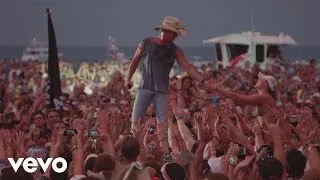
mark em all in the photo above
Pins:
pixel 265 99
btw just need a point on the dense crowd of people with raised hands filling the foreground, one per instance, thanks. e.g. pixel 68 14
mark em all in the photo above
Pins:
pixel 209 134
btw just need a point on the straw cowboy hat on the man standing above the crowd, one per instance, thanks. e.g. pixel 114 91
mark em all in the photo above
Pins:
pixel 172 24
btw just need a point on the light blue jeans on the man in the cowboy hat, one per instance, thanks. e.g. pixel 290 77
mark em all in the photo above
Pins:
pixel 144 98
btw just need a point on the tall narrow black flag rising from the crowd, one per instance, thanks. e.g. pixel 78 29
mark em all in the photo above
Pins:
pixel 54 86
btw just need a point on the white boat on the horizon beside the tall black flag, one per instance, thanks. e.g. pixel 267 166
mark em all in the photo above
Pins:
pixel 37 51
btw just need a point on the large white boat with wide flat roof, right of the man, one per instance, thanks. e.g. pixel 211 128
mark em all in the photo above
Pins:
pixel 248 48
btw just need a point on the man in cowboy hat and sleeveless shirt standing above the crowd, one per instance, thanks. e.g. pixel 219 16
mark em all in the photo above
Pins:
pixel 157 56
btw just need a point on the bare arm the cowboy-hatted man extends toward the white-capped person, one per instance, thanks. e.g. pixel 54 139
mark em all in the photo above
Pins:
pixel 186 66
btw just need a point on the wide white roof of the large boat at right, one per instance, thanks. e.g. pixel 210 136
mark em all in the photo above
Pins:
pixel 252 37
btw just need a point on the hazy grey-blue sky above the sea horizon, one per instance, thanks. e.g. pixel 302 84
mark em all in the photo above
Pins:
pixel 90 22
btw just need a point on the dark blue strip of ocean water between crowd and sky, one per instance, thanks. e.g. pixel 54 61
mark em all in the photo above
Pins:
pixel 78 54
